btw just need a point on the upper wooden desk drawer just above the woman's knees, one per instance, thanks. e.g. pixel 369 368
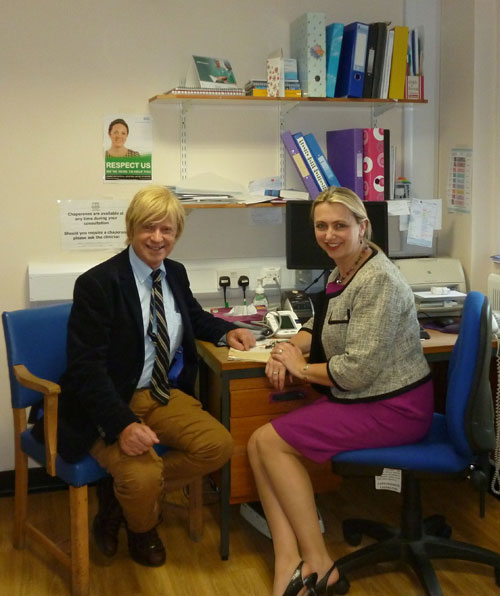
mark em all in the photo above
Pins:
pixel 261 398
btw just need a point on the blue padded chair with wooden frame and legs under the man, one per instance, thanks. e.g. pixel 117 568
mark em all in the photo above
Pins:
pixel 36 355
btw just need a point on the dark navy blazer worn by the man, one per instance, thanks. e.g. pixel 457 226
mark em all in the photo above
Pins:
pixel 106 351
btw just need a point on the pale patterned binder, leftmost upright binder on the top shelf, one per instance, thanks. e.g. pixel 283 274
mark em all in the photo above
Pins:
pixel 307 43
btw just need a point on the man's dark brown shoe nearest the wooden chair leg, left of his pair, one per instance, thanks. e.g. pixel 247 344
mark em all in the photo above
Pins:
pixel 109 518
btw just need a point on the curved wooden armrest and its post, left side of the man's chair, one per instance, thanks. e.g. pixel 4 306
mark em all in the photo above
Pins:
pixel 50 391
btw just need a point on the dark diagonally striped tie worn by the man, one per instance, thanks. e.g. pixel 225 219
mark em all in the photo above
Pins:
pixel 160 389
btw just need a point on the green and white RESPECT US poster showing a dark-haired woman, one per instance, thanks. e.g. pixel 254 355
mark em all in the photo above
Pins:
pixel 127 147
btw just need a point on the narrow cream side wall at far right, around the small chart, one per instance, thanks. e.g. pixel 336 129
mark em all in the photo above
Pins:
pixel 470 117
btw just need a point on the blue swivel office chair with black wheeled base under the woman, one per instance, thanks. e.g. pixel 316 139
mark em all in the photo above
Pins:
pixel 456 446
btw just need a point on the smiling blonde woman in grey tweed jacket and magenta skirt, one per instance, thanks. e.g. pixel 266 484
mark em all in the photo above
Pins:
pixel 373 382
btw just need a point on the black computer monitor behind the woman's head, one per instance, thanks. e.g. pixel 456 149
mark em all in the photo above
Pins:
pixel 302 250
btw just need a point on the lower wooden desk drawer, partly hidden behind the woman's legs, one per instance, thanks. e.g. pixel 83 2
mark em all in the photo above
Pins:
pixel 243 487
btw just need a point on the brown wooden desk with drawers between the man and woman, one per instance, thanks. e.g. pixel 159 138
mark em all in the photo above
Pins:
pixel 238 394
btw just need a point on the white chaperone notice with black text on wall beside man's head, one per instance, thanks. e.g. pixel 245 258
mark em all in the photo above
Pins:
pixel 93 224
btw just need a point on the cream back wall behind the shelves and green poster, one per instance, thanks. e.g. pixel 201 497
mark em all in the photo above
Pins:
pixel 66 64
